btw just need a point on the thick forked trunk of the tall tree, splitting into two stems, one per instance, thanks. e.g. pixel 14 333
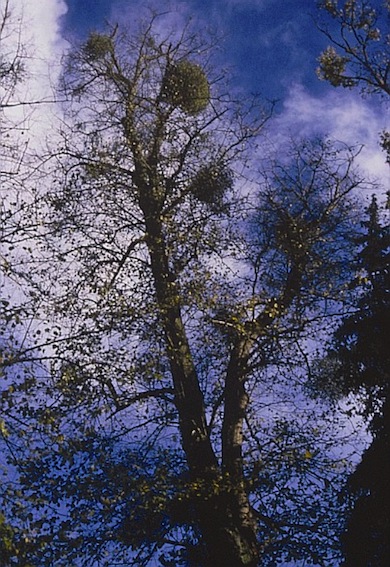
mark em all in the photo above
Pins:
pixel 222 509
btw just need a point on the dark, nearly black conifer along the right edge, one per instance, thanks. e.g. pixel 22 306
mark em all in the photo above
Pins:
pixel 361 365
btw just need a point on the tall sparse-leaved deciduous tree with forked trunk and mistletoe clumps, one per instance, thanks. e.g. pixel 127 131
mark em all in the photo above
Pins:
pixel 180 291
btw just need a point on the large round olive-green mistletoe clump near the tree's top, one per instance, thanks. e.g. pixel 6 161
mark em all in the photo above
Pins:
pixel 186 86
